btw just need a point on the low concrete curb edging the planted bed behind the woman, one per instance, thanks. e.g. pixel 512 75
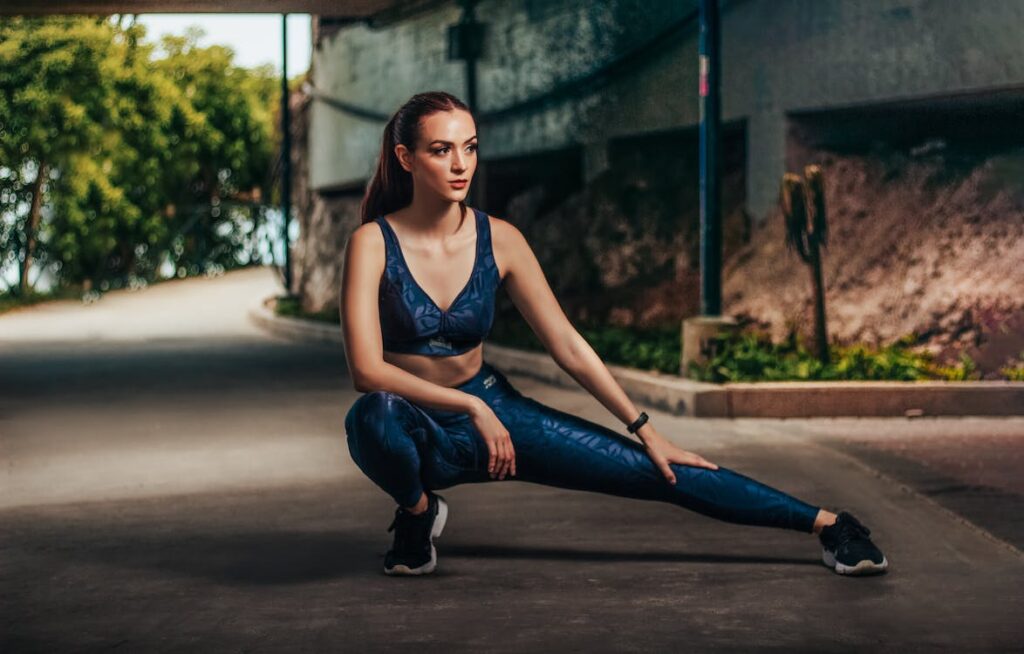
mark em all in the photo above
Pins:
pixel 757 400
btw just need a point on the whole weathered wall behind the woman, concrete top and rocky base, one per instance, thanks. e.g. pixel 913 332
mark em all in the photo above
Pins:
pixel 879 75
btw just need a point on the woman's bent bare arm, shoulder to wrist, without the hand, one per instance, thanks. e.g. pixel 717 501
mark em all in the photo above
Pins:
pixel 360 315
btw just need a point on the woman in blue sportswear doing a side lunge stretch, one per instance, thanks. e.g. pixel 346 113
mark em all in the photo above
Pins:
pixel 418 293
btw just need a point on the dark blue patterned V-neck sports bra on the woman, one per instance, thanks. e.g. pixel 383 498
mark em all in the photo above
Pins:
pixel 412 323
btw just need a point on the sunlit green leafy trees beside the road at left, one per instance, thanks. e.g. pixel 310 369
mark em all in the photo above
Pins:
pixel 140 154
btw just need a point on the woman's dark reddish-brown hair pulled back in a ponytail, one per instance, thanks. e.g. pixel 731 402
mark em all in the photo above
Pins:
pixel 392 187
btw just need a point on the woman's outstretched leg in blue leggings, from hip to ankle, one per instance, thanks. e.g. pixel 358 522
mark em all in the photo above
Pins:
pixel 558 449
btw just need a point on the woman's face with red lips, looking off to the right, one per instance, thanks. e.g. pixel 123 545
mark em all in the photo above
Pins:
pixel 445 154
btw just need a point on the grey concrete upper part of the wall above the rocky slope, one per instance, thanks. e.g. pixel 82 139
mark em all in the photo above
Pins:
pixel 780 57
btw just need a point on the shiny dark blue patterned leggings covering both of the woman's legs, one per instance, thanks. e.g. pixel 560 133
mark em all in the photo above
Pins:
pixel 405 448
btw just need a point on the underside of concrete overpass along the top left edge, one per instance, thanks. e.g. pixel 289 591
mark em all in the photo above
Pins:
pixel 340 9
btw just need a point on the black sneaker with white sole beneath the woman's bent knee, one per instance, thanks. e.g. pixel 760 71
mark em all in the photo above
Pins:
pixel 414 551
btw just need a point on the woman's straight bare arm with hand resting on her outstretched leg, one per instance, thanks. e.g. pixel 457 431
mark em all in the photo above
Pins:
pixel 530 291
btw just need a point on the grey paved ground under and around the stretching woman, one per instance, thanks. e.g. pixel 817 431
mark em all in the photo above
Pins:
pixel 175 481
